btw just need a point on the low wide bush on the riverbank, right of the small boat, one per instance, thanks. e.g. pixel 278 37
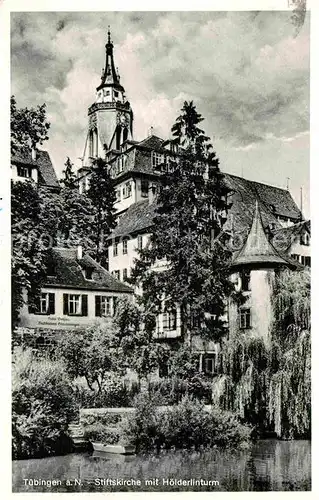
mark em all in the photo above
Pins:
pixel 185 425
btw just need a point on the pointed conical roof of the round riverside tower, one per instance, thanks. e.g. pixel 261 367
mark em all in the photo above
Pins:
pixel 257 248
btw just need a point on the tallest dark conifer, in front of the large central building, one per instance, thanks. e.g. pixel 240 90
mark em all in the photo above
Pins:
pixel 191 204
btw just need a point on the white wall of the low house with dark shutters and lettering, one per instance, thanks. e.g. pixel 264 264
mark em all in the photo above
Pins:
pixel 61 321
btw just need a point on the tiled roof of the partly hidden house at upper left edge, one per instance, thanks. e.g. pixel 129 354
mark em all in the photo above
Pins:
pixel 47 175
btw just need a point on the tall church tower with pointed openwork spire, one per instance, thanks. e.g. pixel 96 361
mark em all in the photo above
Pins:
pixel 110 116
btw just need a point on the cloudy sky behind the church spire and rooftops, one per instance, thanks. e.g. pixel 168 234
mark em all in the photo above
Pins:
pixel 247 73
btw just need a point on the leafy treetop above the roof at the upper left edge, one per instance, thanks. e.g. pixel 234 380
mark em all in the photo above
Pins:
pixel 29 126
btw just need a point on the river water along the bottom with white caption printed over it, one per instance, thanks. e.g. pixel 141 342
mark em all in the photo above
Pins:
pixel 268 465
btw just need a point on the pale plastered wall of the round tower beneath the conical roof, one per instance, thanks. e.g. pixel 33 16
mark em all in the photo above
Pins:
pixel 258 301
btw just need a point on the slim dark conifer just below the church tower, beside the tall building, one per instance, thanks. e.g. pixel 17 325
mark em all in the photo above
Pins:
pixel 102 195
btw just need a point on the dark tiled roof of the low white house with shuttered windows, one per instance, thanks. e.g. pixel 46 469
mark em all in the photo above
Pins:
pixel 67 272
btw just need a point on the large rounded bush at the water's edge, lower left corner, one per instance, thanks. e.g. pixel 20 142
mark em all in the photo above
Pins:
pixel 42 406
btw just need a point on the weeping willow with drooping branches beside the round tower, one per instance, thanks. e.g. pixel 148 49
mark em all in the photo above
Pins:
pixel 269 384
